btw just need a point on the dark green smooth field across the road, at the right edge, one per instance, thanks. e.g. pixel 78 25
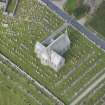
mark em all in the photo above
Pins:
pixel 97 22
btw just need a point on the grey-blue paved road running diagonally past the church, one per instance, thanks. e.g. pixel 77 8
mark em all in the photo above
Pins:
pixel 73 22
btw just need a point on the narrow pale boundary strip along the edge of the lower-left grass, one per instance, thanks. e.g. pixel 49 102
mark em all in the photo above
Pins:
pixel 22 72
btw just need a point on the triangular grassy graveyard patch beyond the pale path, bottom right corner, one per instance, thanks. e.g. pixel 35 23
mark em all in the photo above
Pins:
pixel 97 96
